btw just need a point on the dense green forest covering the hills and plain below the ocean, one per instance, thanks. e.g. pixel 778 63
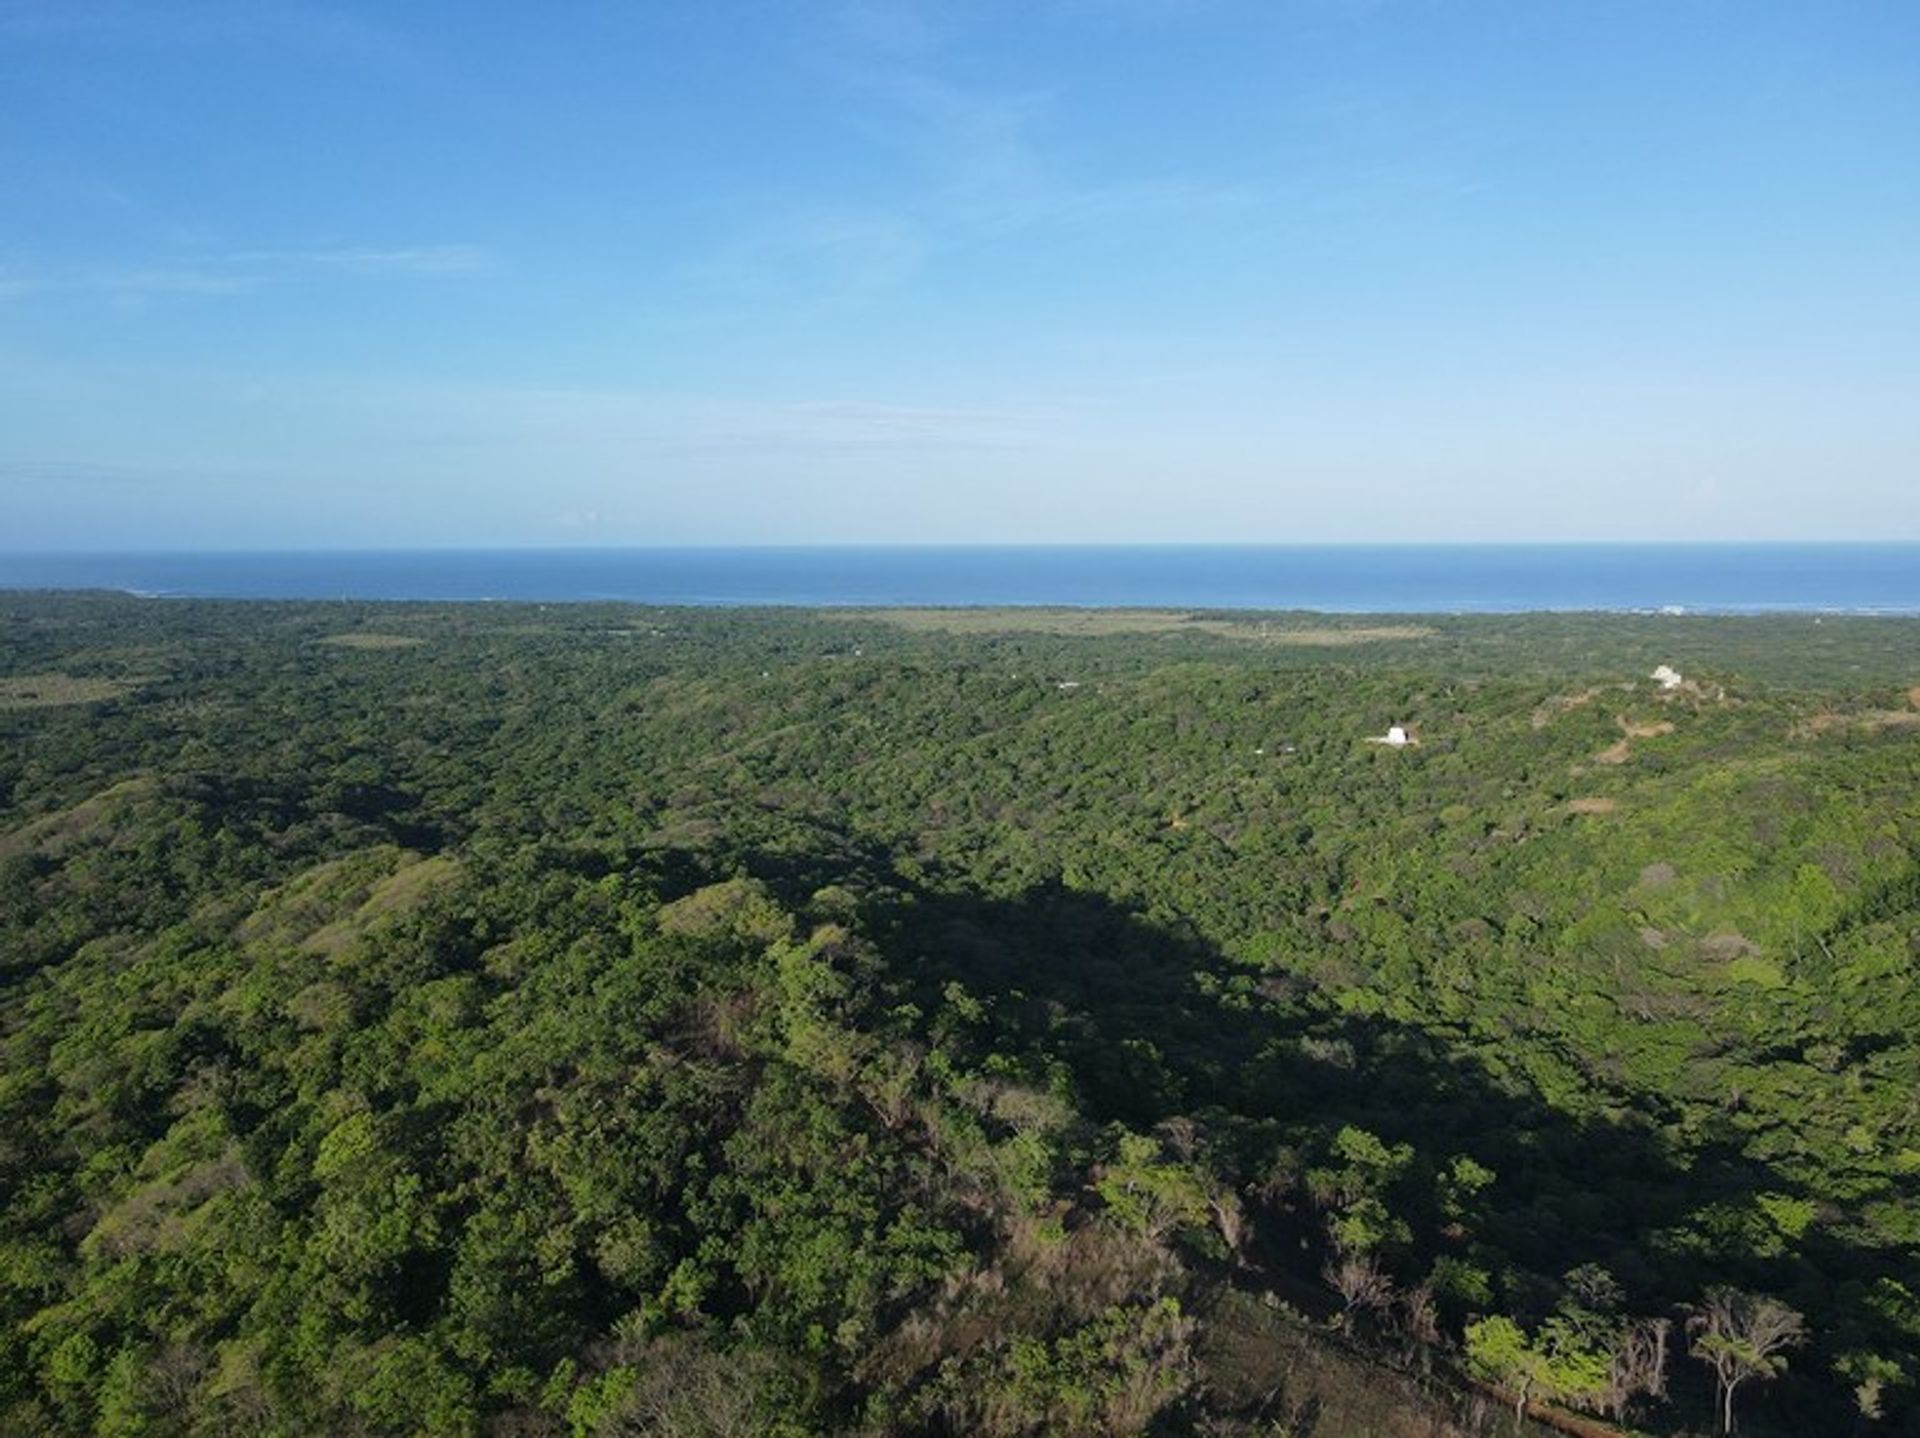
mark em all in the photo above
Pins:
pixel 613 1020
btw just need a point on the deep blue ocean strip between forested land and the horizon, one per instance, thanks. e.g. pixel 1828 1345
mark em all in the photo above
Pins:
pixel 1345 579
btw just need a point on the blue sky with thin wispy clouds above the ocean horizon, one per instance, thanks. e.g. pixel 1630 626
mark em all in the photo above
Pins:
pixel 790 272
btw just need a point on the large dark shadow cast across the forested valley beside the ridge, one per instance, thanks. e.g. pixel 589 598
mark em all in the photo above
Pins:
pixel 1253 1074
